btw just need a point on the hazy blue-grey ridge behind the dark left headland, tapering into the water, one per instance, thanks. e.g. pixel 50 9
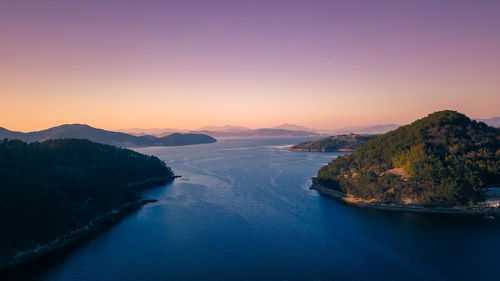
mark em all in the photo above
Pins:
pixel 82 131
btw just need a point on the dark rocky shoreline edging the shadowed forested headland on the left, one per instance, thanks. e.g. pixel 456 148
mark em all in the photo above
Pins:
pixel 94 227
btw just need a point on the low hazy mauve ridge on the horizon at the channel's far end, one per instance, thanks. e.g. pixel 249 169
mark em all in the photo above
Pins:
pixel 267 132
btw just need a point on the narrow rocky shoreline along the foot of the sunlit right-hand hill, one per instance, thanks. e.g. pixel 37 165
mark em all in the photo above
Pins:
pixel 351 201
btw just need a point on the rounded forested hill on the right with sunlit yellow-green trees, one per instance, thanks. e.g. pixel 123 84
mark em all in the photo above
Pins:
pixel 442 159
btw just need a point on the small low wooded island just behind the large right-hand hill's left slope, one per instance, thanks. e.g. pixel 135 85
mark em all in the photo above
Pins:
pixel 333 143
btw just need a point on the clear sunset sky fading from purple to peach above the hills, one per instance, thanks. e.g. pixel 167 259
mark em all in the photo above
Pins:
pixel 118 64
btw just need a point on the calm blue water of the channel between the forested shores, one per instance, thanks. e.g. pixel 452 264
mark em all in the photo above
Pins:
pixel 243 211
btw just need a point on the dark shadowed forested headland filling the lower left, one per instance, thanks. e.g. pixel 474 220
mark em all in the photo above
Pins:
pixel 57 191
